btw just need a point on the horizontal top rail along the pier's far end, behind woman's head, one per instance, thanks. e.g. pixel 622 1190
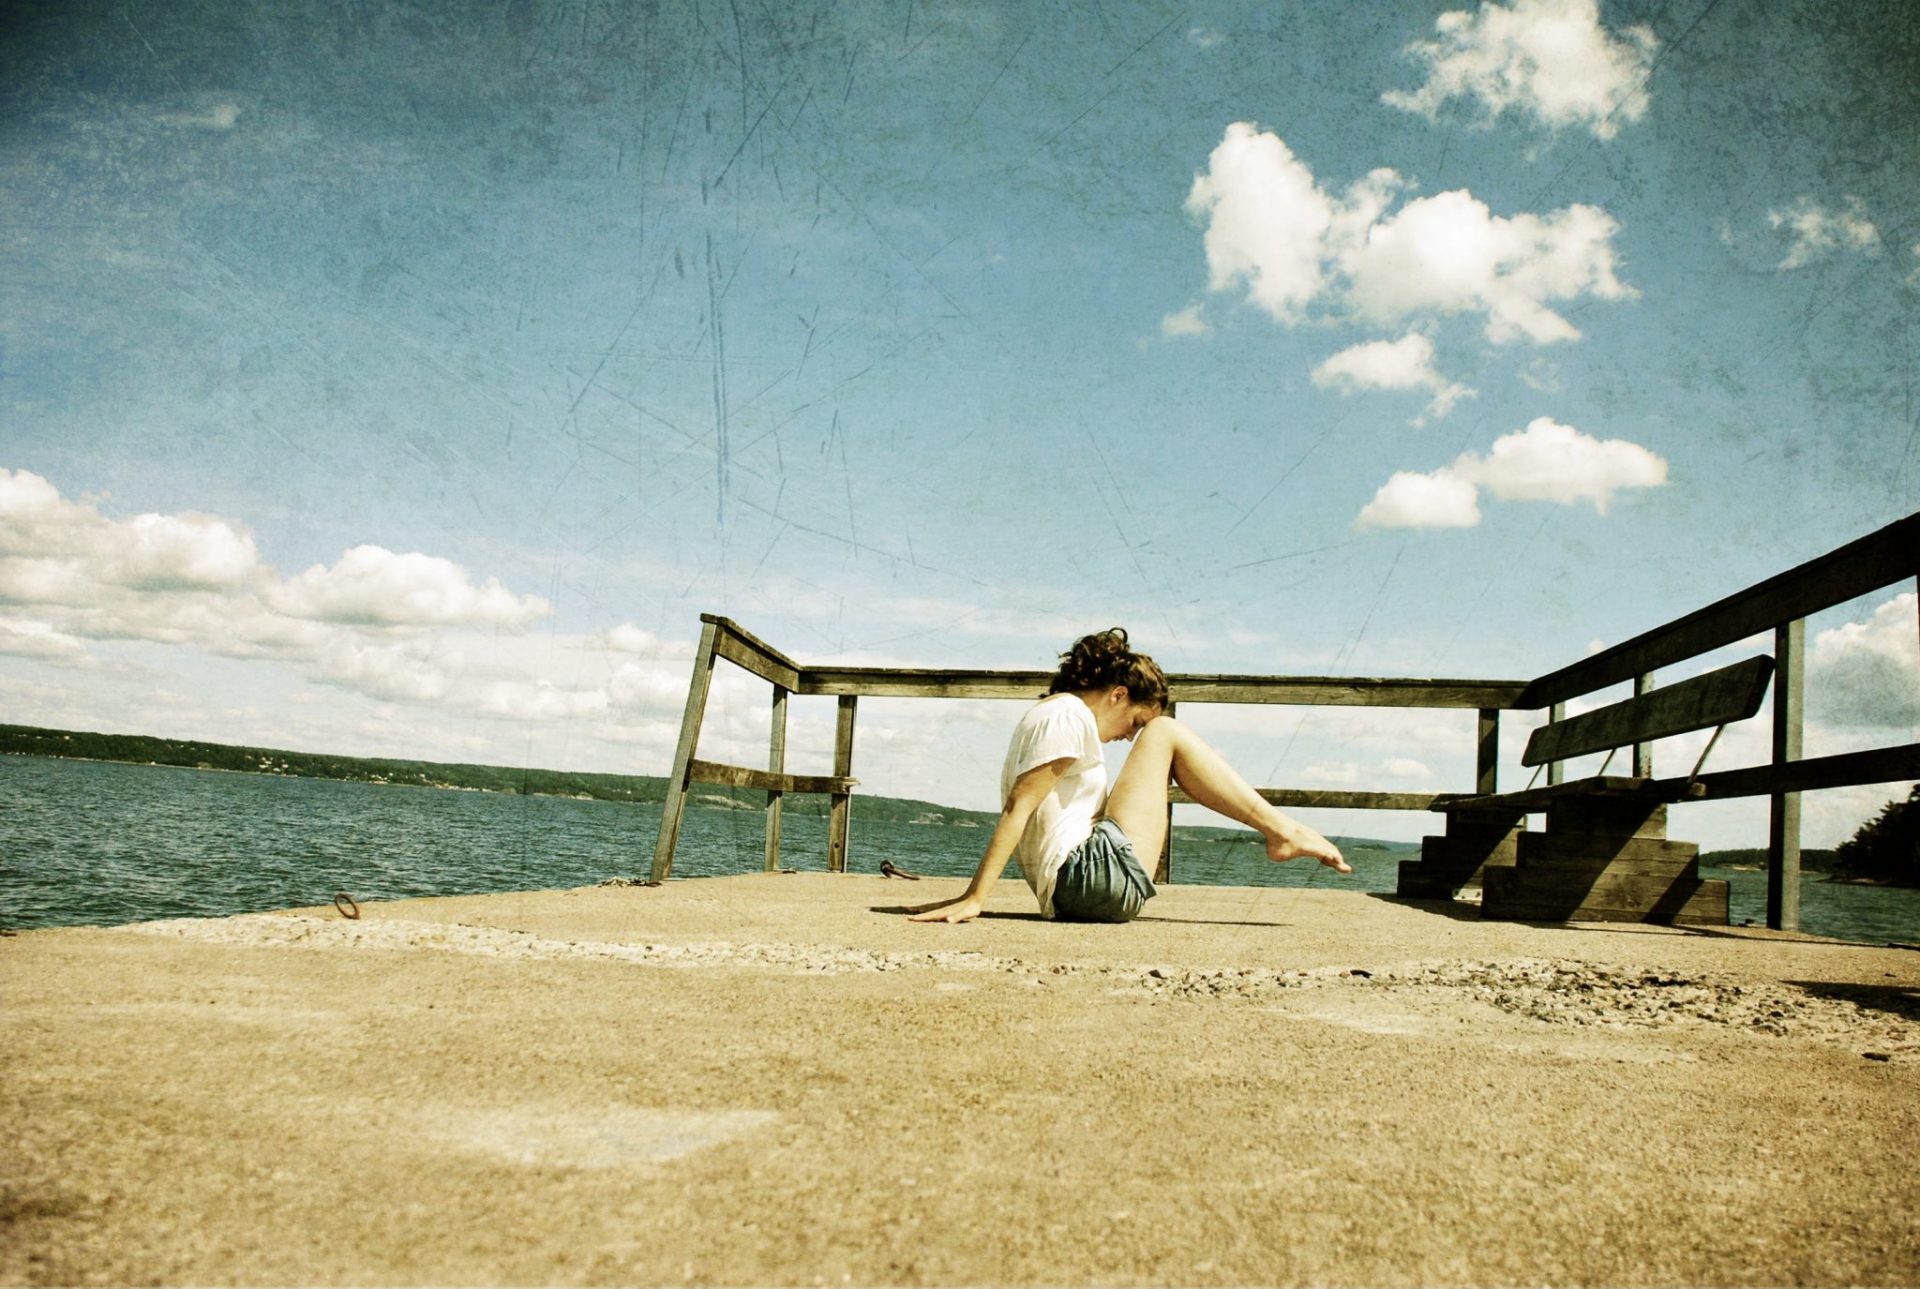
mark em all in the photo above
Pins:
pixel 1184 689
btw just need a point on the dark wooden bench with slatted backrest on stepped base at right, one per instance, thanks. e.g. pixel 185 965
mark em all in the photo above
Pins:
pixel 1604 854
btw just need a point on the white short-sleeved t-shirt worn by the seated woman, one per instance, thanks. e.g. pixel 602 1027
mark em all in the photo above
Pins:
pixel 1057 727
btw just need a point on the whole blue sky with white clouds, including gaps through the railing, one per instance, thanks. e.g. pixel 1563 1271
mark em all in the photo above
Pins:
pixel 408 379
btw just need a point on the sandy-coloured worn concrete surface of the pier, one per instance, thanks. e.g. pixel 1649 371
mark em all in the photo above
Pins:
pixel 780 1081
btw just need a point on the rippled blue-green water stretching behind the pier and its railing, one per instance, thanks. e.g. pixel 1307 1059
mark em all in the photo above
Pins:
pixel 85 842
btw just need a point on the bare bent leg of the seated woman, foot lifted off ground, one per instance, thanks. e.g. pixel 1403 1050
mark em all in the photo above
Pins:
pixel 1168 750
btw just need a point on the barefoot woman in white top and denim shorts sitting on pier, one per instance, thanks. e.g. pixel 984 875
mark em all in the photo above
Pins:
pixel 1082 846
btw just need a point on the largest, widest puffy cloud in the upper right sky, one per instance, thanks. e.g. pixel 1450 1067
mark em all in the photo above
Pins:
pixel 1297 247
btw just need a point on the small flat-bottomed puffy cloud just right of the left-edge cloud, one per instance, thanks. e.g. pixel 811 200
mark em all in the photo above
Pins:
pixel 373 587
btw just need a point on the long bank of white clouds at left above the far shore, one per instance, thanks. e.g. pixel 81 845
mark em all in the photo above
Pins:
pixel 375 623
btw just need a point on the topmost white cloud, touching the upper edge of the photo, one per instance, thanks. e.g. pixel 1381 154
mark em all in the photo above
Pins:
pixel 1545 59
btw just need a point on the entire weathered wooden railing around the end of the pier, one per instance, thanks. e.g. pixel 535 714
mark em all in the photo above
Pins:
pixel 1779 606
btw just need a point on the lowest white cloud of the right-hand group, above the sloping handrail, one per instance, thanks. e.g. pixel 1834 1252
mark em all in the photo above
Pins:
pixel 1547 462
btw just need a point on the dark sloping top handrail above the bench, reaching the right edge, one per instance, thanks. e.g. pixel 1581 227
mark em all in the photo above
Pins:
pixel 1844 573
